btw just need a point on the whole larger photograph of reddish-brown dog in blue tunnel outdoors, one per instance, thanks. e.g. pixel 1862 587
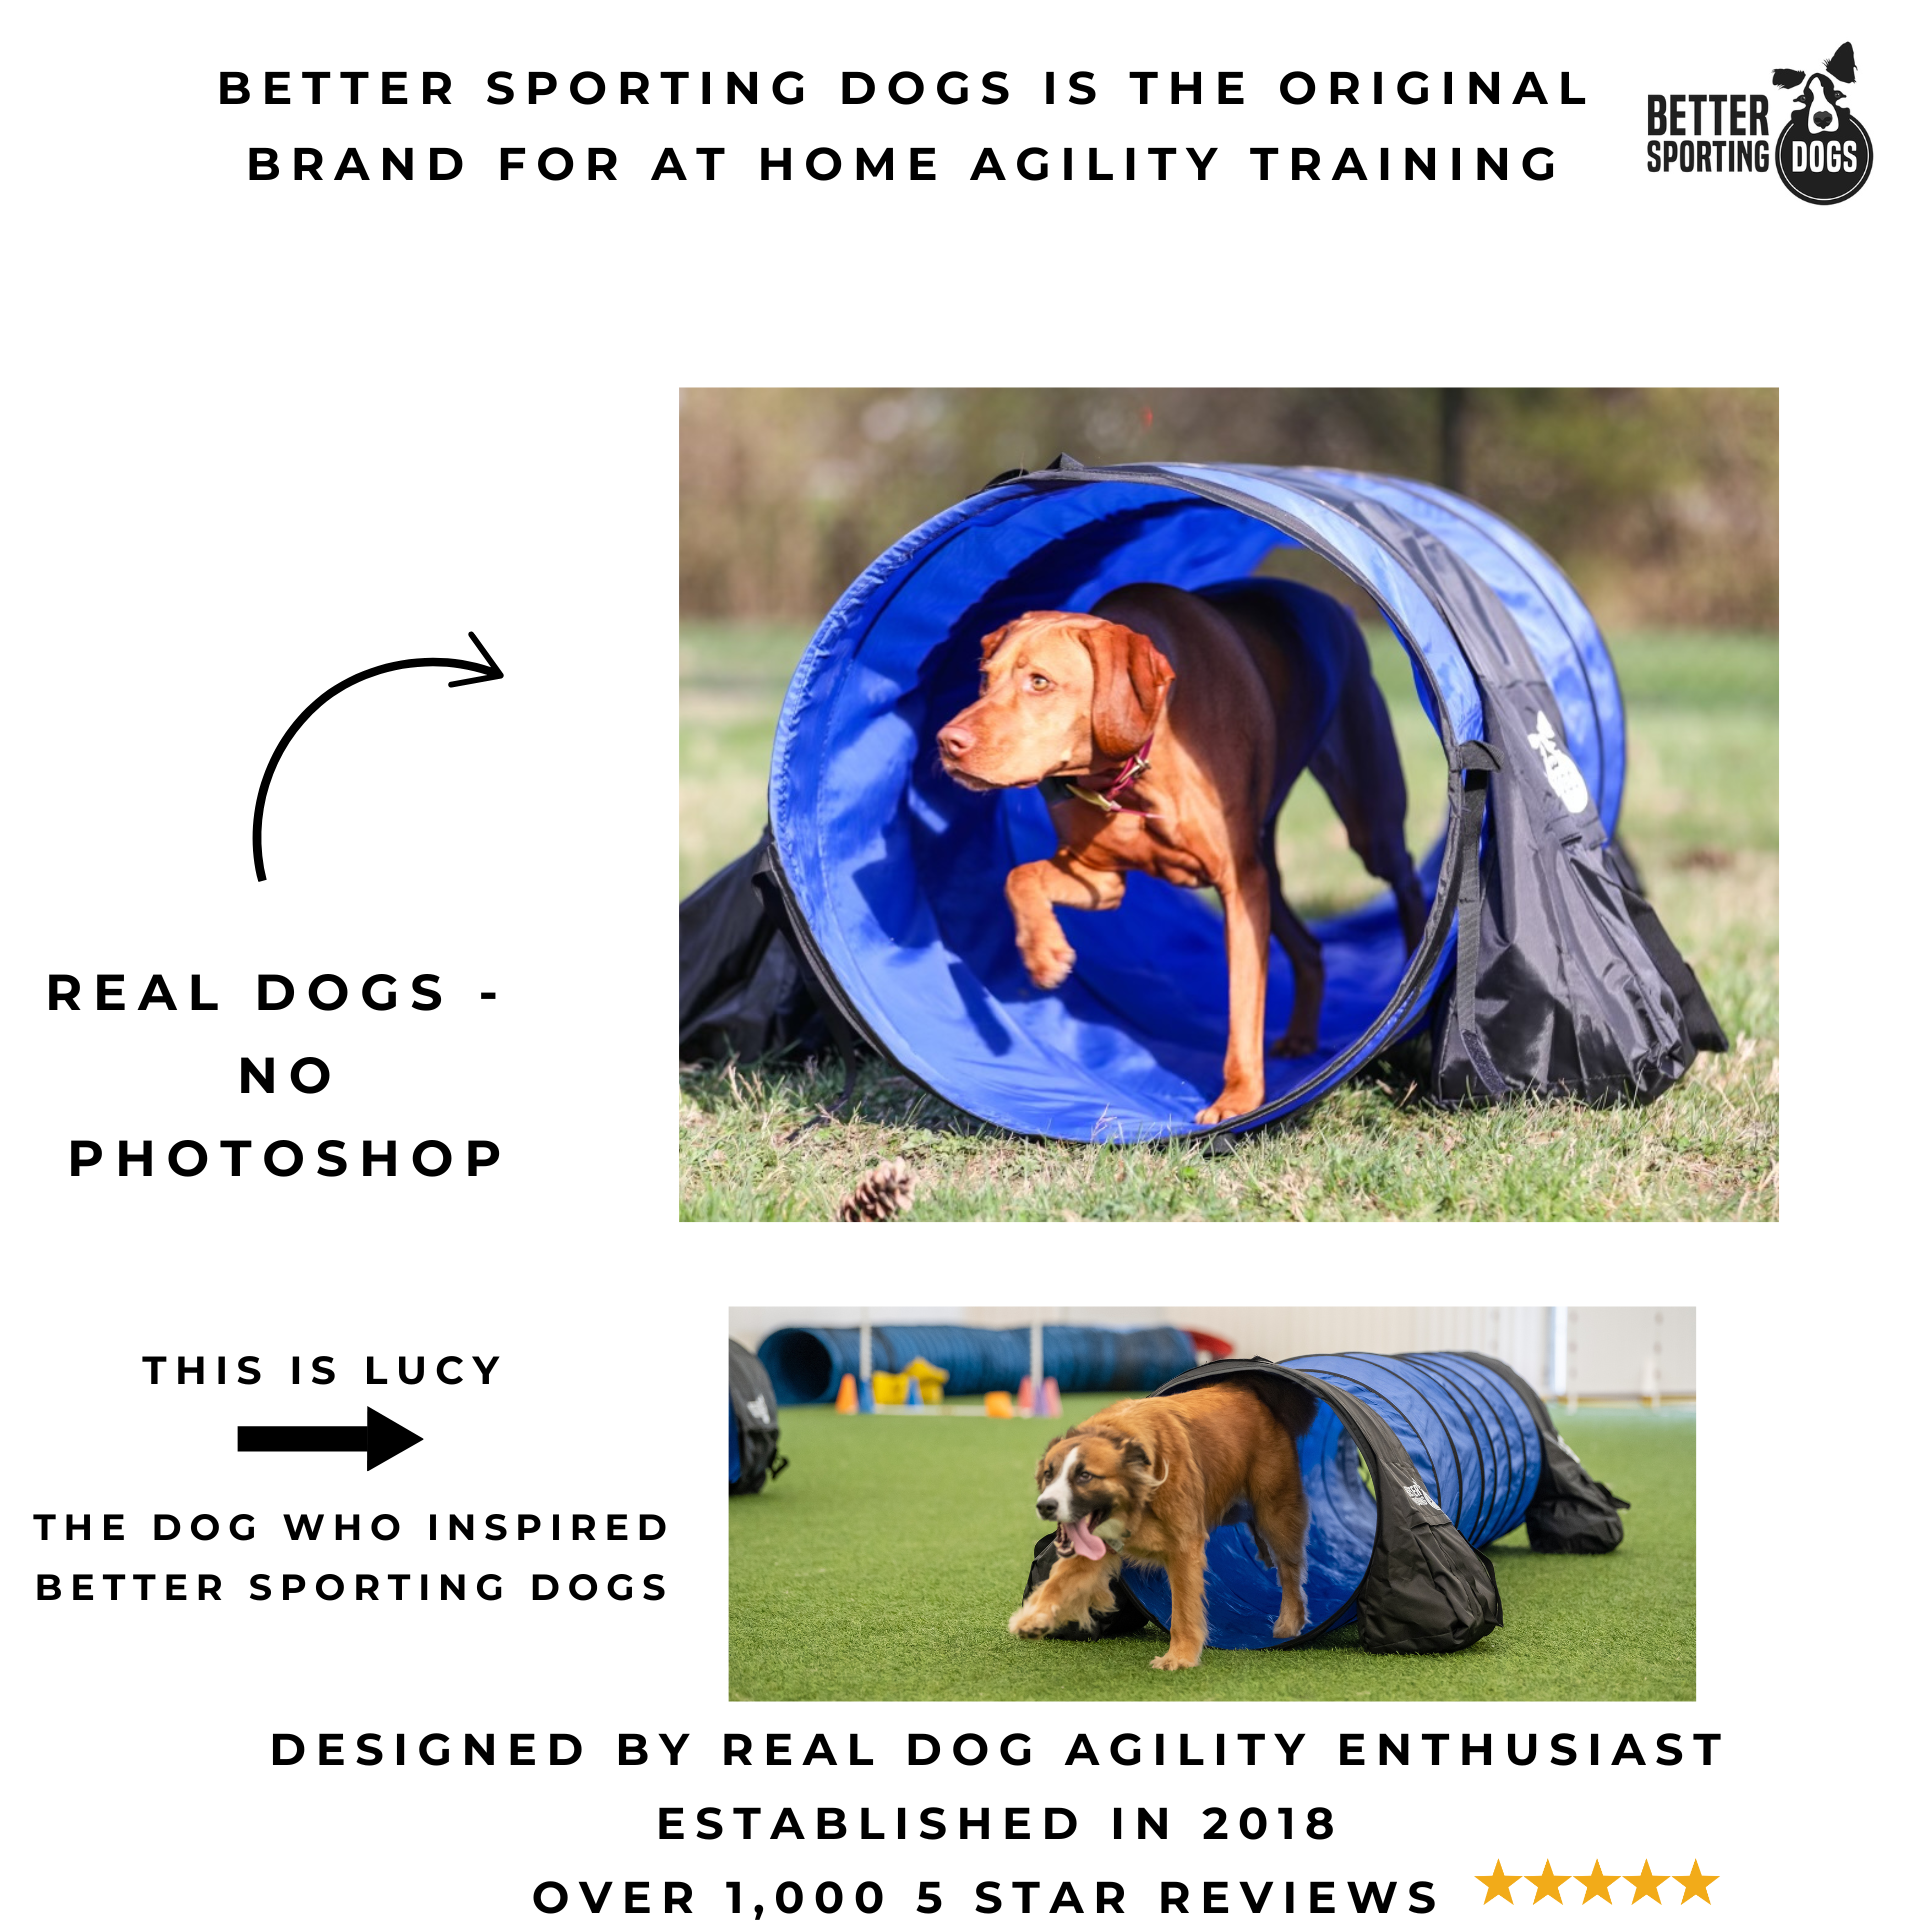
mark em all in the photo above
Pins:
pixel 1230 805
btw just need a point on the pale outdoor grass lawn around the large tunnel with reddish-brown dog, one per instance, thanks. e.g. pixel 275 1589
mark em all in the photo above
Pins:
pixel 1700 819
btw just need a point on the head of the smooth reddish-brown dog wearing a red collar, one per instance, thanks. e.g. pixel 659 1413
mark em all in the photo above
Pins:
pixel 1059 694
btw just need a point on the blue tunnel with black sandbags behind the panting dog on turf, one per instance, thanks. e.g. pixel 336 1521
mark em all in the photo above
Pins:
pixel 1412 1466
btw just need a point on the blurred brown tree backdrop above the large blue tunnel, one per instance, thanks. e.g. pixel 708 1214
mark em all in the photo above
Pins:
pixel 1662 504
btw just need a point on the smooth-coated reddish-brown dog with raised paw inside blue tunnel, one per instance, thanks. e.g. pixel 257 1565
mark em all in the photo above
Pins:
pixel 1168 731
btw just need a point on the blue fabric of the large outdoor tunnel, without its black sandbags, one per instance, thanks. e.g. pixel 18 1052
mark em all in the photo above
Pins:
pixel 898 873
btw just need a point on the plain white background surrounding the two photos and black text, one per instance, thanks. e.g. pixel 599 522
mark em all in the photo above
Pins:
pixel 260 437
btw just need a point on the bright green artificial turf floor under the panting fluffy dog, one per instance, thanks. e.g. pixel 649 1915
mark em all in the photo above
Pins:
pixel 886 1562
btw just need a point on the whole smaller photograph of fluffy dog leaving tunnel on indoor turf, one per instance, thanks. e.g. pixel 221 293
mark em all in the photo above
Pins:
pixel 1212 1504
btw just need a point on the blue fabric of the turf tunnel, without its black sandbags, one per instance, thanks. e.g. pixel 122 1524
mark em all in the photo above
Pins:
pixel 1476 1449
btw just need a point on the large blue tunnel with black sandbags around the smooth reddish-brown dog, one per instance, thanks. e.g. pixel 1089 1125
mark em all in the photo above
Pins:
pixel 892 876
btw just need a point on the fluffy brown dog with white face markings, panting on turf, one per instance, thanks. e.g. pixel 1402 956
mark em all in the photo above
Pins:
pixel 1151 1479
